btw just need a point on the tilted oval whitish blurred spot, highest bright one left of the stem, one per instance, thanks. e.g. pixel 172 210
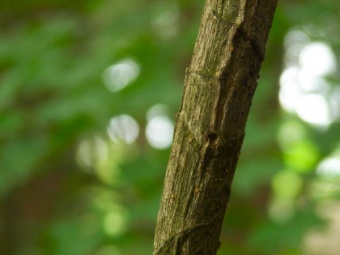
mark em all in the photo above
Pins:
pixel 120 75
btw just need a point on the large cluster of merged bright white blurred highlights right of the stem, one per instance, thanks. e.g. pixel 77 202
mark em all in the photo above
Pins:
pixel 304 89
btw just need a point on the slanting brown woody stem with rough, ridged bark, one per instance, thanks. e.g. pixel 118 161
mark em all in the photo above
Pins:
pixel 218 91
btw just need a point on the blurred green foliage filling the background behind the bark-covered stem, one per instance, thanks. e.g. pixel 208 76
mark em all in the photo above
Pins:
pixel 72 182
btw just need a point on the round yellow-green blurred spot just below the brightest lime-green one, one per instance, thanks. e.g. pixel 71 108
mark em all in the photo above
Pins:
pixel 287 184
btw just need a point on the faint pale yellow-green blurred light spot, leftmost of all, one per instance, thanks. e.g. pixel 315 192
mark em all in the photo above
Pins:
pixel 92 151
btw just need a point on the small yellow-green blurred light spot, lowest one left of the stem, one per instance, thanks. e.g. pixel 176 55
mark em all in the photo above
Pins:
pixel 115 221
